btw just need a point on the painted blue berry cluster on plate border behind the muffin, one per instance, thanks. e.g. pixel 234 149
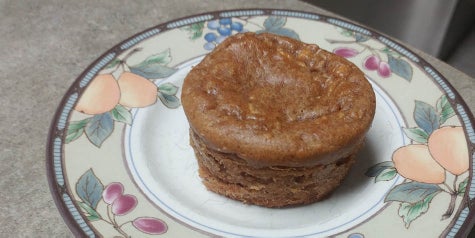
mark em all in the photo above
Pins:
pixel 221 28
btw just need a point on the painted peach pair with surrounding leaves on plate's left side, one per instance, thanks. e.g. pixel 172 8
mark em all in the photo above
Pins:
pixel 110 99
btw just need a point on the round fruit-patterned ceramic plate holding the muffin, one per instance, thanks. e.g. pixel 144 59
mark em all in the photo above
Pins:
pixel 119 162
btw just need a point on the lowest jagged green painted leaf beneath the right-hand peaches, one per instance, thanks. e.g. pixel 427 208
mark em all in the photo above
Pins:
pixel 411 211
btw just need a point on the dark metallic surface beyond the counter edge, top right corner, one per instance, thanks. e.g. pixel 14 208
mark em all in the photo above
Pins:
pixel 433 26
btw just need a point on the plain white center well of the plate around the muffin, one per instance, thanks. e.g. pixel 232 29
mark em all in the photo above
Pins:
pixel 163 165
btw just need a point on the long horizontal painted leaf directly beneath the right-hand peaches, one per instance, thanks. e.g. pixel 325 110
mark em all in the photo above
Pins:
pixel 412 192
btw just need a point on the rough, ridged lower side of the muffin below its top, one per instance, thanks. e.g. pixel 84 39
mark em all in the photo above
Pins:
pixel 274 186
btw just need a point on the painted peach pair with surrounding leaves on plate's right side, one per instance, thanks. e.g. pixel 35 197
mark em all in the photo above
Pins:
pixel 438 154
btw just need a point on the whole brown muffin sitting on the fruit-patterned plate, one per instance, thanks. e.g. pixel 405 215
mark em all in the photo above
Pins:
pixel 274 121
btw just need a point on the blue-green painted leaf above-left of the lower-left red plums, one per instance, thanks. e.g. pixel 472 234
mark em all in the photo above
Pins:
pixel 89 188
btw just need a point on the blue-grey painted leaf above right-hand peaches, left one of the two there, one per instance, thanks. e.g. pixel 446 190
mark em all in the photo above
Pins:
pixel 426 117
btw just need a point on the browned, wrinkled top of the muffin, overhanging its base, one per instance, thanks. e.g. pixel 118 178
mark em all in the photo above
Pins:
pixel 273 100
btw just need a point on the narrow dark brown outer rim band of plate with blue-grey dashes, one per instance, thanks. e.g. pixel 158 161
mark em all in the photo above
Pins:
pixel 57 192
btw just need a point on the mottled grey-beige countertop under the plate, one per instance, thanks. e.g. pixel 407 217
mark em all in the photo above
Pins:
pixel 45 45
